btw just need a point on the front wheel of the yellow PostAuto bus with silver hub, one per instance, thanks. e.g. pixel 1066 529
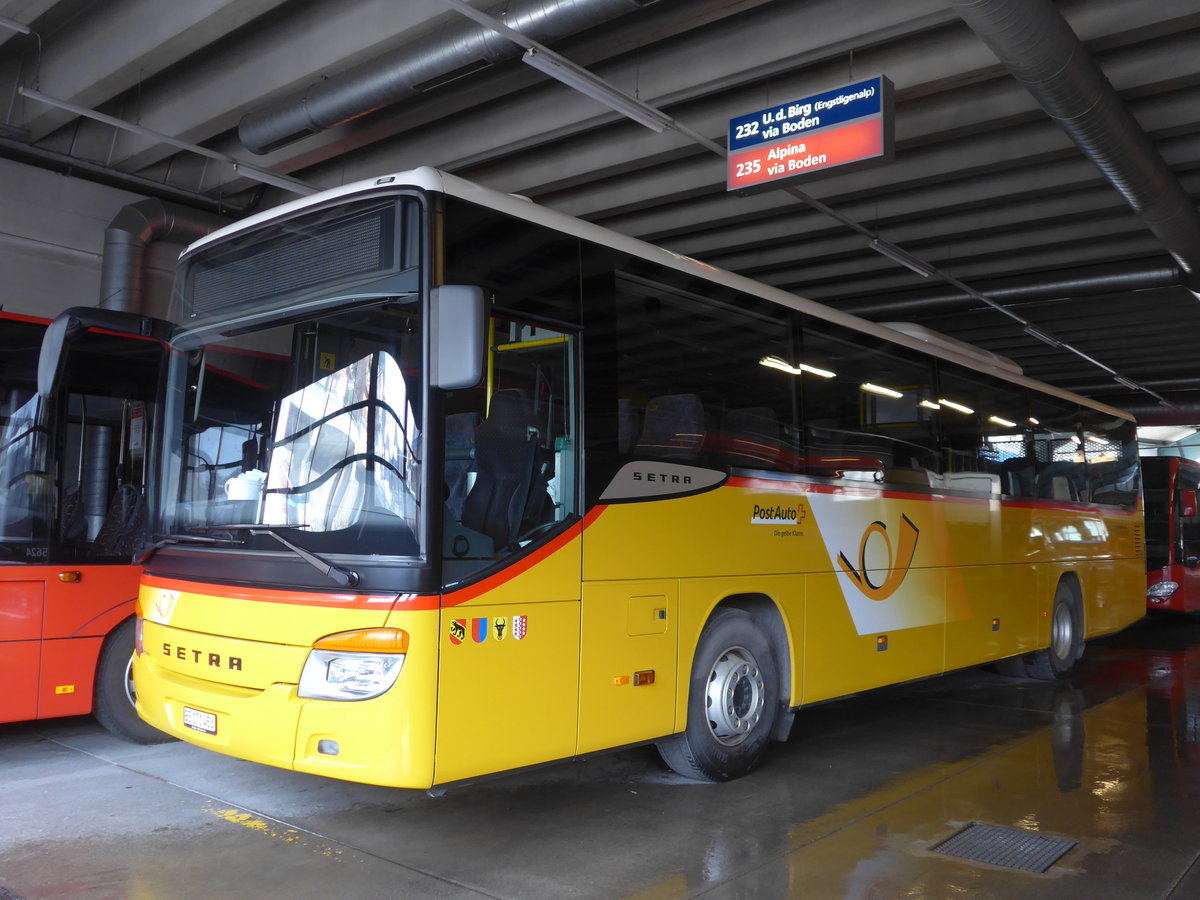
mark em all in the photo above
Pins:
pixel 733 701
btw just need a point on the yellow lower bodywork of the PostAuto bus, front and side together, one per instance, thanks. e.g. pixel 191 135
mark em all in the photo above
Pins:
pixel 590 643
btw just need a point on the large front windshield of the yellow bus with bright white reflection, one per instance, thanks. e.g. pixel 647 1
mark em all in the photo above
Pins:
pixel 310 430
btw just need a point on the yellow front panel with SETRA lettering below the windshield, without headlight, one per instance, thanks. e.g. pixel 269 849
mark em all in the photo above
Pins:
pixel 250 686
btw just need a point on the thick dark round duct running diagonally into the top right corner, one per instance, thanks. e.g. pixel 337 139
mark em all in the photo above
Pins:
pixel 1035 43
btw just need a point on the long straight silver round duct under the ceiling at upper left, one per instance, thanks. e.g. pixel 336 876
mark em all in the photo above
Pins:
pixel 455 50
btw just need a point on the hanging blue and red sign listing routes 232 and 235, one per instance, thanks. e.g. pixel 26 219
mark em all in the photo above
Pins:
pixel 847 125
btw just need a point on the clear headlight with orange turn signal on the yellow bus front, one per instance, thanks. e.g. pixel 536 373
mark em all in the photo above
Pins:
pixel 353 665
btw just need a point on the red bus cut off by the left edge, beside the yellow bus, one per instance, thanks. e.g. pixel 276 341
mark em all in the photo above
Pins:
pixel 74 427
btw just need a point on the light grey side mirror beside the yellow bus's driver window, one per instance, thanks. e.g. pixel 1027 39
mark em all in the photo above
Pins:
pixel 459 331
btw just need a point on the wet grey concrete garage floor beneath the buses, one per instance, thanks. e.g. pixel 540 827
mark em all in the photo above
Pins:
pixel 851 807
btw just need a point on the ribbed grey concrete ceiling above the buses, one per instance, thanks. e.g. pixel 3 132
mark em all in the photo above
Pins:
pixel 985 185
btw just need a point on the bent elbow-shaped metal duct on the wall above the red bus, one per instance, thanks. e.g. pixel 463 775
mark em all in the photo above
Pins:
pixel 123 268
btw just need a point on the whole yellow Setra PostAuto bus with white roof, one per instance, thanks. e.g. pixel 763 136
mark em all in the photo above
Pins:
pixel 452 484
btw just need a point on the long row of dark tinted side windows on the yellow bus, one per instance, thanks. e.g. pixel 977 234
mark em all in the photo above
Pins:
pixel 748 392
